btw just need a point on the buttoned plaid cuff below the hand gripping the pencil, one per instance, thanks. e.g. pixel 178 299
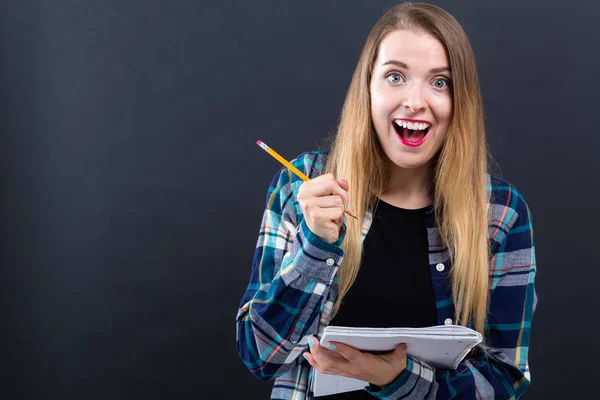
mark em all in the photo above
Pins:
pixel 312 256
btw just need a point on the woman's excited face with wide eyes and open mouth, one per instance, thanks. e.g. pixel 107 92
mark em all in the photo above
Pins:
pixel 411 97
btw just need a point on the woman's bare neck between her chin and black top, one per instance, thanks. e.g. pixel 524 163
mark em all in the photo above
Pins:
pixel 409 188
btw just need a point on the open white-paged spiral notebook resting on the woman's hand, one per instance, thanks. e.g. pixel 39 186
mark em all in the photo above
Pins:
pixel 442 346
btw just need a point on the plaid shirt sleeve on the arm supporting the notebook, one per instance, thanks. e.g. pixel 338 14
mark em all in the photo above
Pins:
pixel 500 369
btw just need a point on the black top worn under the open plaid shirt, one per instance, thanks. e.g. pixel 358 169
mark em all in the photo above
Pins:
pixel 393 287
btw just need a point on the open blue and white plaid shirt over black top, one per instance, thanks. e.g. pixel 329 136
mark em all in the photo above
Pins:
pixel 293 287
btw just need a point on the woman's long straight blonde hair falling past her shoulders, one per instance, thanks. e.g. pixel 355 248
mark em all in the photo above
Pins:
pixel 460 199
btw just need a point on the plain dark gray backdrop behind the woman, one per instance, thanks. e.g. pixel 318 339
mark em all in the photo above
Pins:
pixel 132 188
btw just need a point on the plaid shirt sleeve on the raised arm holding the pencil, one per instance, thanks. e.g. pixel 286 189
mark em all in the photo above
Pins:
pixel 291 276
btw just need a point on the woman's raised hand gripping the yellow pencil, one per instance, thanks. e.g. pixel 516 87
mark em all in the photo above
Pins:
pixel 323 201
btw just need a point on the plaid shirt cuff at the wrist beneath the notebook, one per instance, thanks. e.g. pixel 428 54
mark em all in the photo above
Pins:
pixel 413 383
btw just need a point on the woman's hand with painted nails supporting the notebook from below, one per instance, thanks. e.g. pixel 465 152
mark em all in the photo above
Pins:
pixel 340 359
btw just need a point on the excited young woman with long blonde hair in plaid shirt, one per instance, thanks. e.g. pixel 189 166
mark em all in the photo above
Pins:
pixel 438 240
